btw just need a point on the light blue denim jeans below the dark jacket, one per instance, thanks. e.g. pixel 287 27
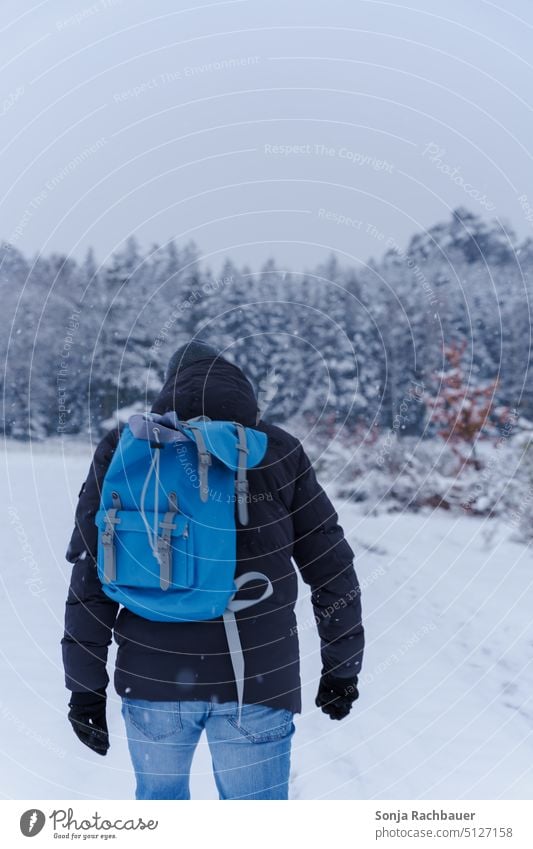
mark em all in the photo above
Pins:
pixel 251 760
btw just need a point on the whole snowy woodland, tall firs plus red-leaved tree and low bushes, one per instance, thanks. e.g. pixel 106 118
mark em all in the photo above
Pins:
pixel 407 376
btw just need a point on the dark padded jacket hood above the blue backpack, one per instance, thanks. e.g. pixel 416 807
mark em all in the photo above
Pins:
pixel 211 387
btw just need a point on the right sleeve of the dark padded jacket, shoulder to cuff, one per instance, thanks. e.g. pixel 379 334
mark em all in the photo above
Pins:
pixel 325 561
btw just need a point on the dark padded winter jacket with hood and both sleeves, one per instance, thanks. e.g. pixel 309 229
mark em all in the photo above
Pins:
pixel 290 518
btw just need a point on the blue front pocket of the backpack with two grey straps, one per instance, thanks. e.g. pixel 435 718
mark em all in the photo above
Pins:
pixel 149 550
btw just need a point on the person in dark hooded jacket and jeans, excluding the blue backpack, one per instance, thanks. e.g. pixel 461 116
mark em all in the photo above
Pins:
pixel 176 678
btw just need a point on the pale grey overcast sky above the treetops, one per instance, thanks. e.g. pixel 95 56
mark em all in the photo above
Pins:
pixel 180 119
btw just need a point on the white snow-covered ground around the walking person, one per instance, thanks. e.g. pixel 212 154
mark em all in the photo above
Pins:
pixel 446 707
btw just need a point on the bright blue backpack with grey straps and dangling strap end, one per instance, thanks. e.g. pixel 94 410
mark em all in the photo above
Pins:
pixel 167 541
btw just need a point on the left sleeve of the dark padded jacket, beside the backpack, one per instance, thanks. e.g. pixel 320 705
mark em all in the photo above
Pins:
pixel 89 614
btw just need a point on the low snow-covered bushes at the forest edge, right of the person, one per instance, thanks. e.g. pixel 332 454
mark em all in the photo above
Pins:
pixel 393 473
